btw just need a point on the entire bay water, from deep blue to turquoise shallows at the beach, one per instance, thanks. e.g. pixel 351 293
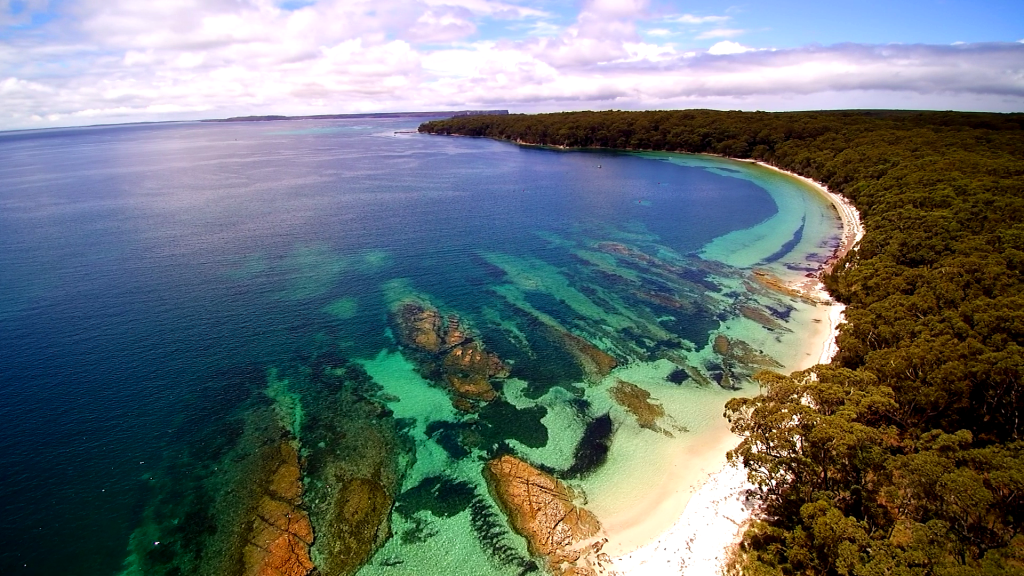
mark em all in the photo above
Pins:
pixel 177 298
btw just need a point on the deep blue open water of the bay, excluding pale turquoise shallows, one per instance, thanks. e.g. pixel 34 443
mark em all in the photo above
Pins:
pixel 153 276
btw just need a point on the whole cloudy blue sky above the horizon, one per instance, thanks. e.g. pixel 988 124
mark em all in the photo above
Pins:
pixel 69 63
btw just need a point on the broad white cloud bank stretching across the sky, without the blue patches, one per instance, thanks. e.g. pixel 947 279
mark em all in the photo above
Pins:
pixel 231 58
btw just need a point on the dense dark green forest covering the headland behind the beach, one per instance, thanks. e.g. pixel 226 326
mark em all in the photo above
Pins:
pixel 906 456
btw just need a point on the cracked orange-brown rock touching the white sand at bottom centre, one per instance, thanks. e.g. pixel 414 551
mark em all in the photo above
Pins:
pixel 542 510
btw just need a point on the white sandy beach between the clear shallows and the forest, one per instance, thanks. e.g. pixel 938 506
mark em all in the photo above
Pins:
pixel 718 513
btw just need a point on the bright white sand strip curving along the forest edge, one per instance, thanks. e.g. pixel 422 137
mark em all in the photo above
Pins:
pixel 717 512
